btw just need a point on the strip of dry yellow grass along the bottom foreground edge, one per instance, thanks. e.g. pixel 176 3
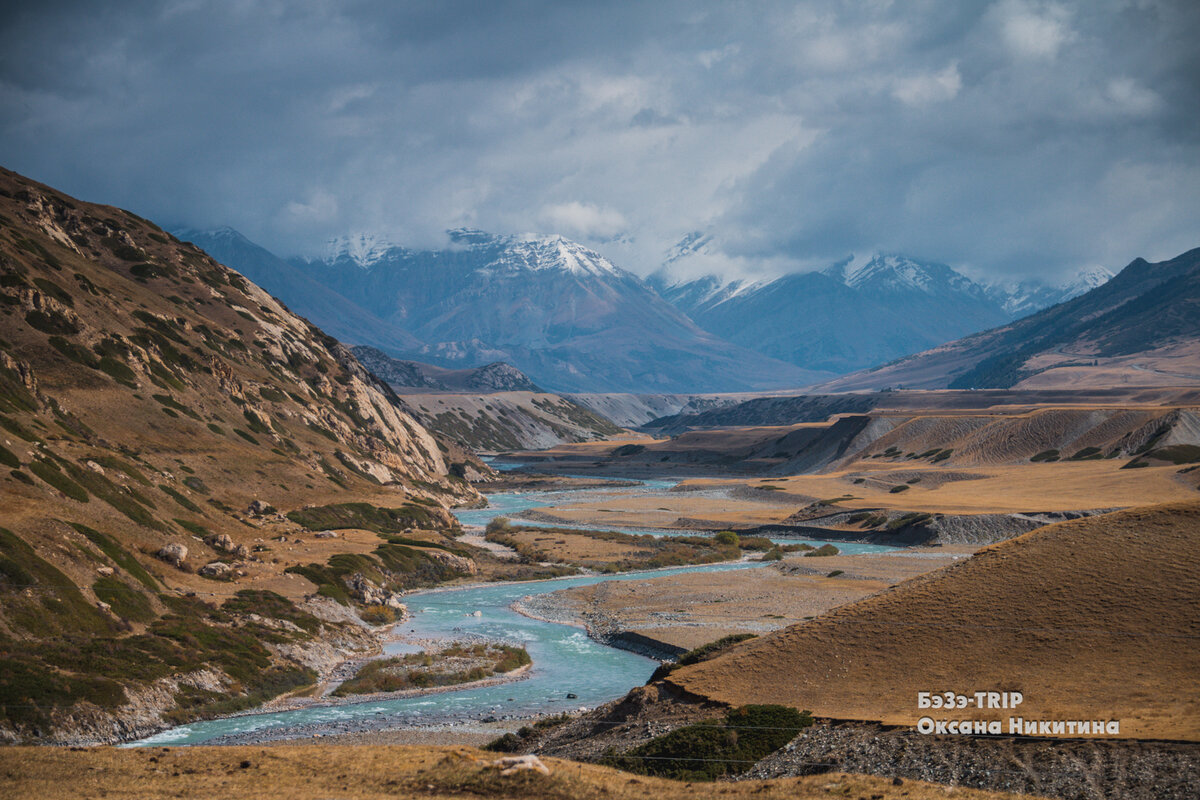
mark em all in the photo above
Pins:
pixel 351 773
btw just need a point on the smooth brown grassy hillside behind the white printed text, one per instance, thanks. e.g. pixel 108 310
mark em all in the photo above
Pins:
pixel 1091 619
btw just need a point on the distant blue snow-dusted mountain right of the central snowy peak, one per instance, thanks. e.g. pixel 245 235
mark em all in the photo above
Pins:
pixel 839 320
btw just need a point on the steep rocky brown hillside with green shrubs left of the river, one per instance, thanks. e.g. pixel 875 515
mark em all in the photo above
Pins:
pixel 157 408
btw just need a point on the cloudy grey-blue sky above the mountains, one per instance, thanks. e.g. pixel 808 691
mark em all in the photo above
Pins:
pixel 1011 140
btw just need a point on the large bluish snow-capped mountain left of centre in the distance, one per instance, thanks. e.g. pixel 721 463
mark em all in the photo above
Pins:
pixel 561 314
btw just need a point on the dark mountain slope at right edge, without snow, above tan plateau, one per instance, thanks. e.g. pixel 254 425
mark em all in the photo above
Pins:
pixel 1142 327
